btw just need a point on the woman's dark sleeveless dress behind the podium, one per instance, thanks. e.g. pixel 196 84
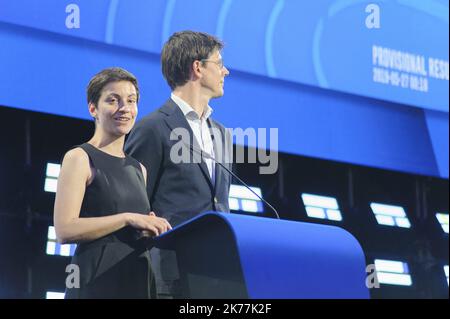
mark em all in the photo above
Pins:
pixel 116 265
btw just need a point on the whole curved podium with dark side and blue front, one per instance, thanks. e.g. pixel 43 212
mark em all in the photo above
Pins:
pixel 227 256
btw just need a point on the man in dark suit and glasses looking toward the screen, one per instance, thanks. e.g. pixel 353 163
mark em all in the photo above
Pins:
pixel 192 66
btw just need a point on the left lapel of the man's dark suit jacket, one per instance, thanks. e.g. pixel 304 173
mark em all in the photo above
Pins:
pixel 175 119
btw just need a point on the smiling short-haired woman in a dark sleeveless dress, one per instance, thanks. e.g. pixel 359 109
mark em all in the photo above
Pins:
pixel 101 202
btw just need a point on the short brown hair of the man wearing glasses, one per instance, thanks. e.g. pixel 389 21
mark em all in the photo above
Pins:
pixel 181 50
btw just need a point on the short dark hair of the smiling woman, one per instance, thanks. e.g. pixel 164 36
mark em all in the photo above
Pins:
pixel 101 79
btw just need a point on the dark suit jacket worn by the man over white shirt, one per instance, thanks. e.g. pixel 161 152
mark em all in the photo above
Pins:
pixel 181 191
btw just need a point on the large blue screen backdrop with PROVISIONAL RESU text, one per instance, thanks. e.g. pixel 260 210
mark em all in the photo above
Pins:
pixel 335 81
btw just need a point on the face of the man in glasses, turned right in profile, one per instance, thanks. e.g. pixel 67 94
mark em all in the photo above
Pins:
pixel 214 75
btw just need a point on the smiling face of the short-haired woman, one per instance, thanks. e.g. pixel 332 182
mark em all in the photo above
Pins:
pixel 116 109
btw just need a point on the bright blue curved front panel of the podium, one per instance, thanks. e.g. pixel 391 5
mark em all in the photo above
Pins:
pixel 286 259
